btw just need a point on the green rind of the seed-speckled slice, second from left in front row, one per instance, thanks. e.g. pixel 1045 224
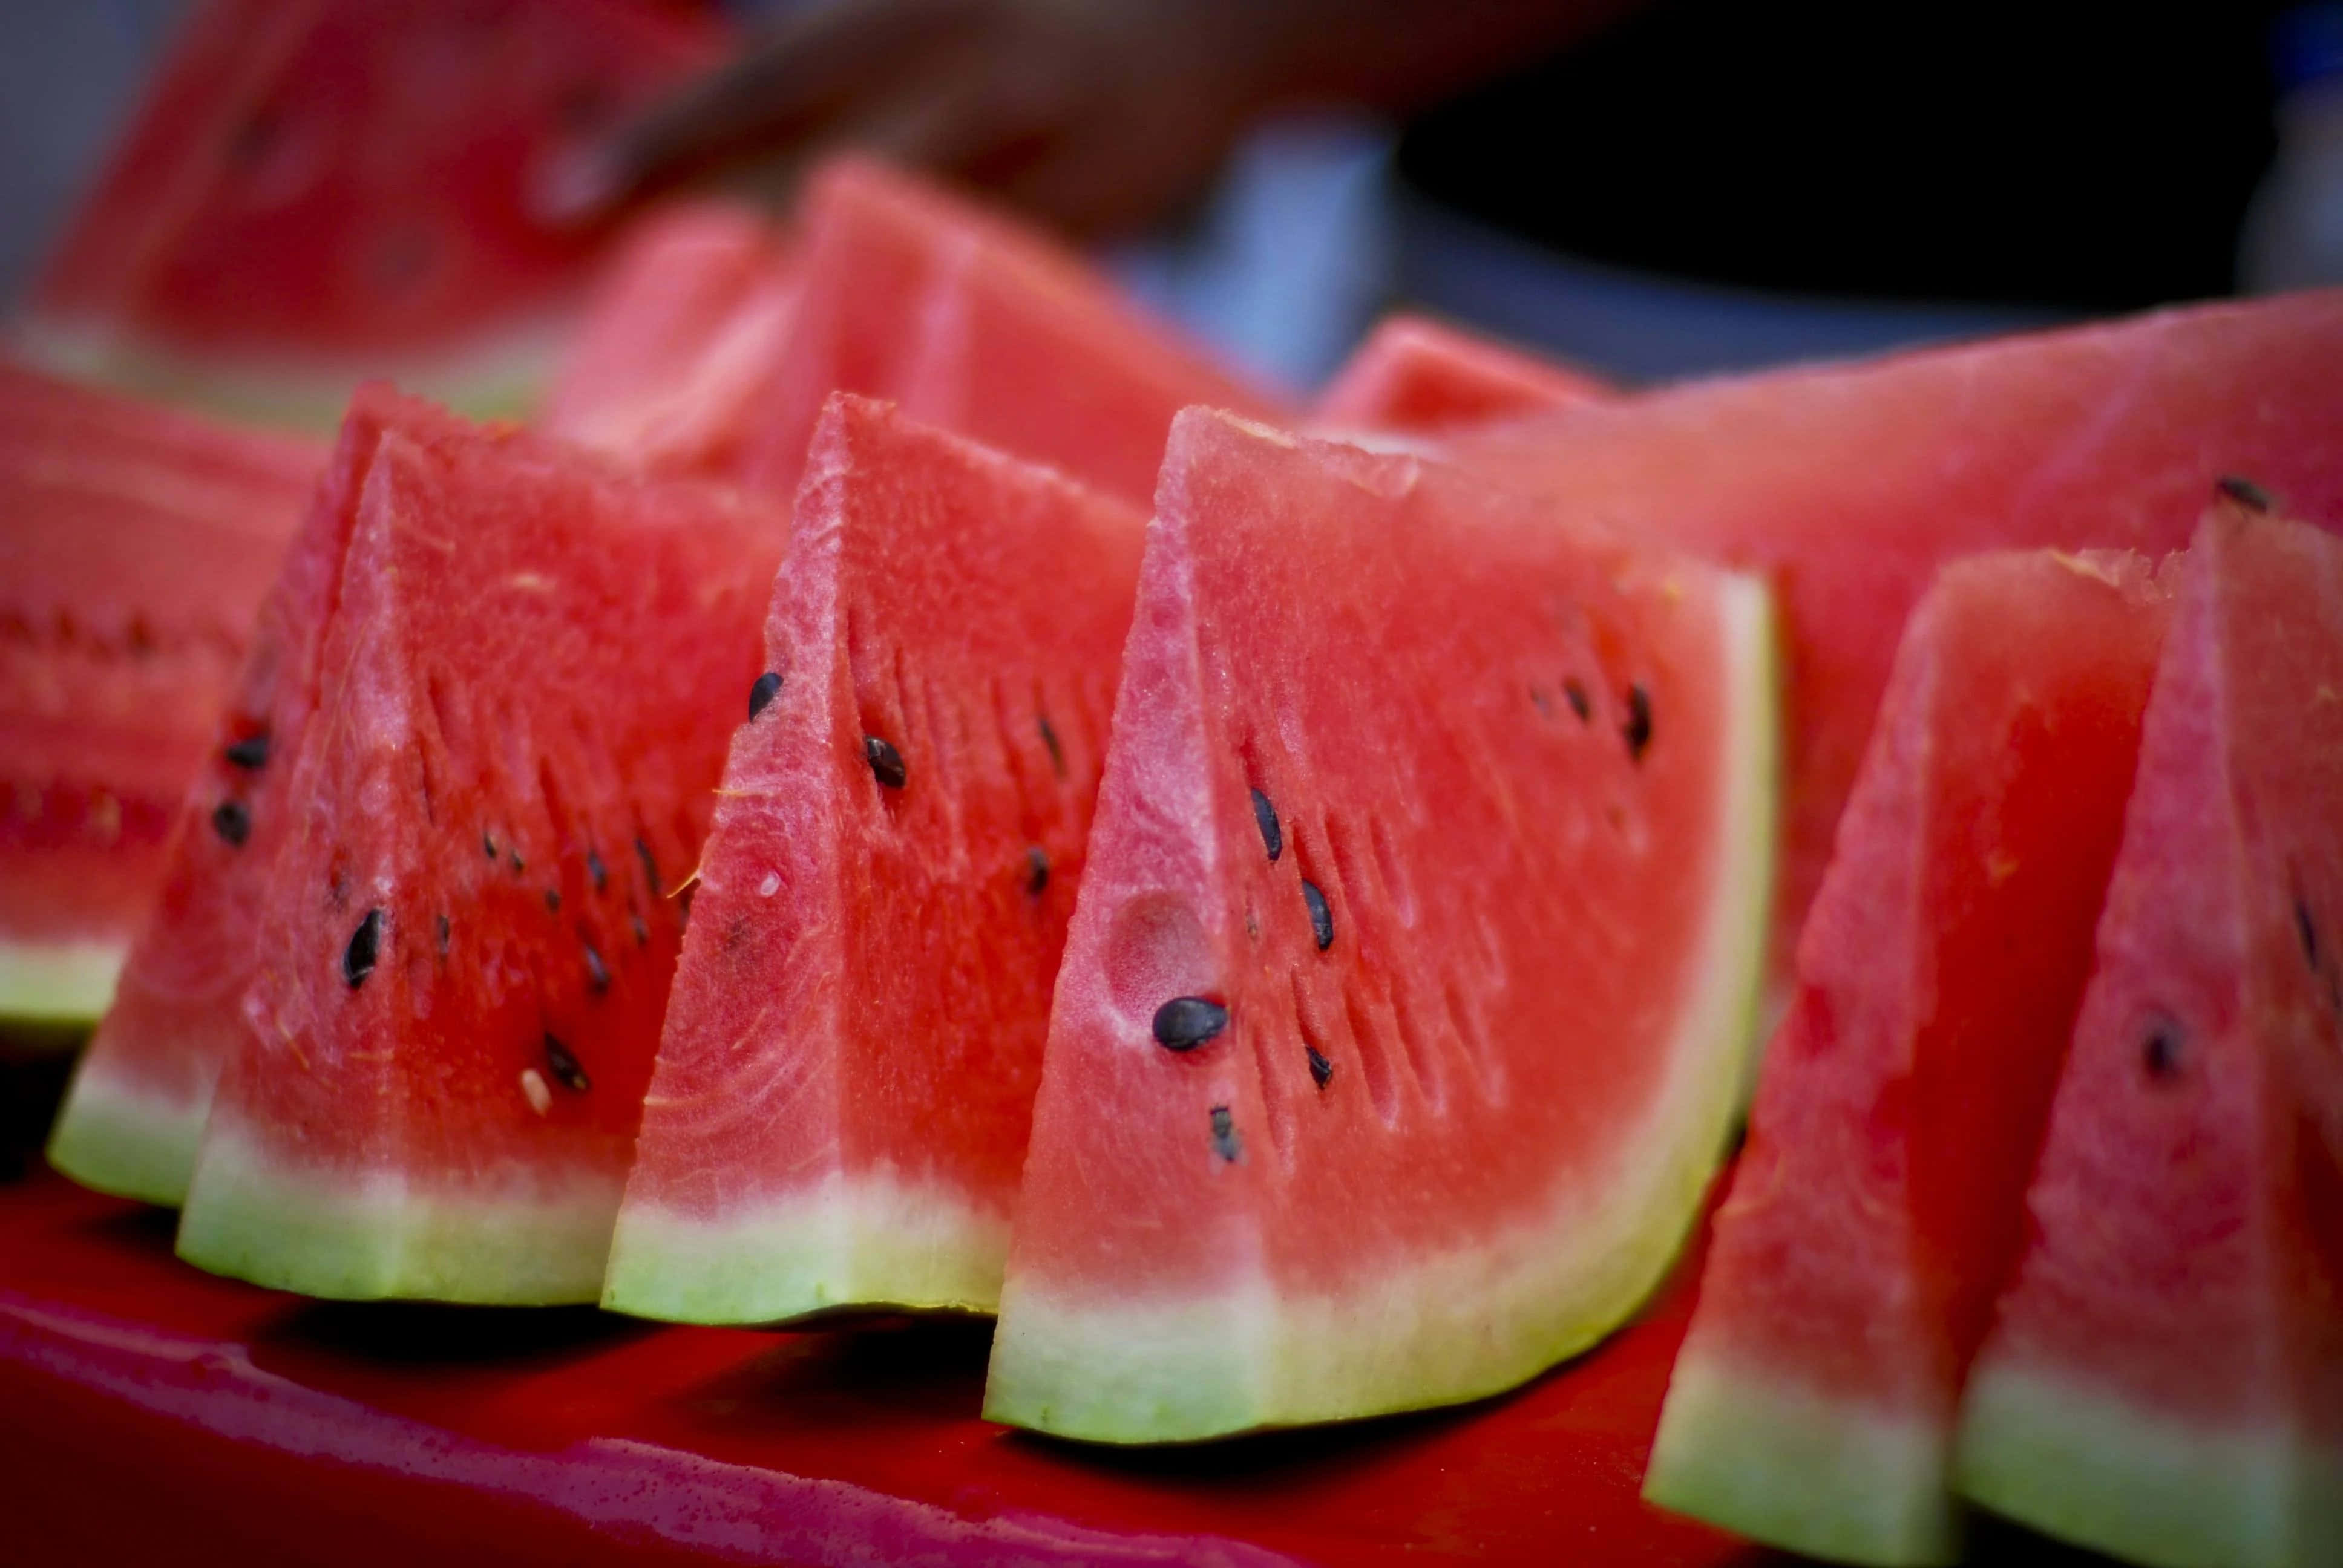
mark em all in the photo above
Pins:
pixel 369 1239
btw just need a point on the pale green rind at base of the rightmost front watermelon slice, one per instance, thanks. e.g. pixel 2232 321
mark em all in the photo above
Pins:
pixel 2108 1473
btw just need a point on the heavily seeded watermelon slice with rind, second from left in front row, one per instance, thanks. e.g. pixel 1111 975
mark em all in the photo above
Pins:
pixel 524 695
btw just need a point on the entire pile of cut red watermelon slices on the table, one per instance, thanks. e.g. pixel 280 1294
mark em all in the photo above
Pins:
pixel 910 789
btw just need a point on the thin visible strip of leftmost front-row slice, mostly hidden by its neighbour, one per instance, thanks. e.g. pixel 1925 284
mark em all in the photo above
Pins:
pixel 142 1091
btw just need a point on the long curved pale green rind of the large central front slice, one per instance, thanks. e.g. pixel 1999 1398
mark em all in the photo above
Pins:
pixel 1480 1321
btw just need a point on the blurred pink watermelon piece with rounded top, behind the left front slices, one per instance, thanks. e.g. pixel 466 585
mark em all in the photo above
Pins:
pixel 676 341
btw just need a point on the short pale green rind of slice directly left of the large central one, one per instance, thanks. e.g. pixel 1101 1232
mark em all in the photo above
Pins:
pixel 868 1241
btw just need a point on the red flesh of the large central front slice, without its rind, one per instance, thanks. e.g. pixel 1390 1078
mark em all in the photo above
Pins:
pixel 1384 650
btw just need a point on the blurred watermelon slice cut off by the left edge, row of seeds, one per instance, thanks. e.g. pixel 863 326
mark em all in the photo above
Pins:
pixel 135 550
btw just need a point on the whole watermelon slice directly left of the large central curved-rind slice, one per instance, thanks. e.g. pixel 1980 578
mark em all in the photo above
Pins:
pixel 849 1065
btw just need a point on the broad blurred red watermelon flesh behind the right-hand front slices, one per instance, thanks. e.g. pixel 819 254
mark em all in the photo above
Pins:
pixel 1852 484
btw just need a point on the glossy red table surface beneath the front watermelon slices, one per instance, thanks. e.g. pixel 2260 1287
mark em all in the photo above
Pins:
pixel 151 1412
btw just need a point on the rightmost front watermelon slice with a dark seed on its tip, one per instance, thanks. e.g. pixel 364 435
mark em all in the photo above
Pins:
pixel 2166 1375
